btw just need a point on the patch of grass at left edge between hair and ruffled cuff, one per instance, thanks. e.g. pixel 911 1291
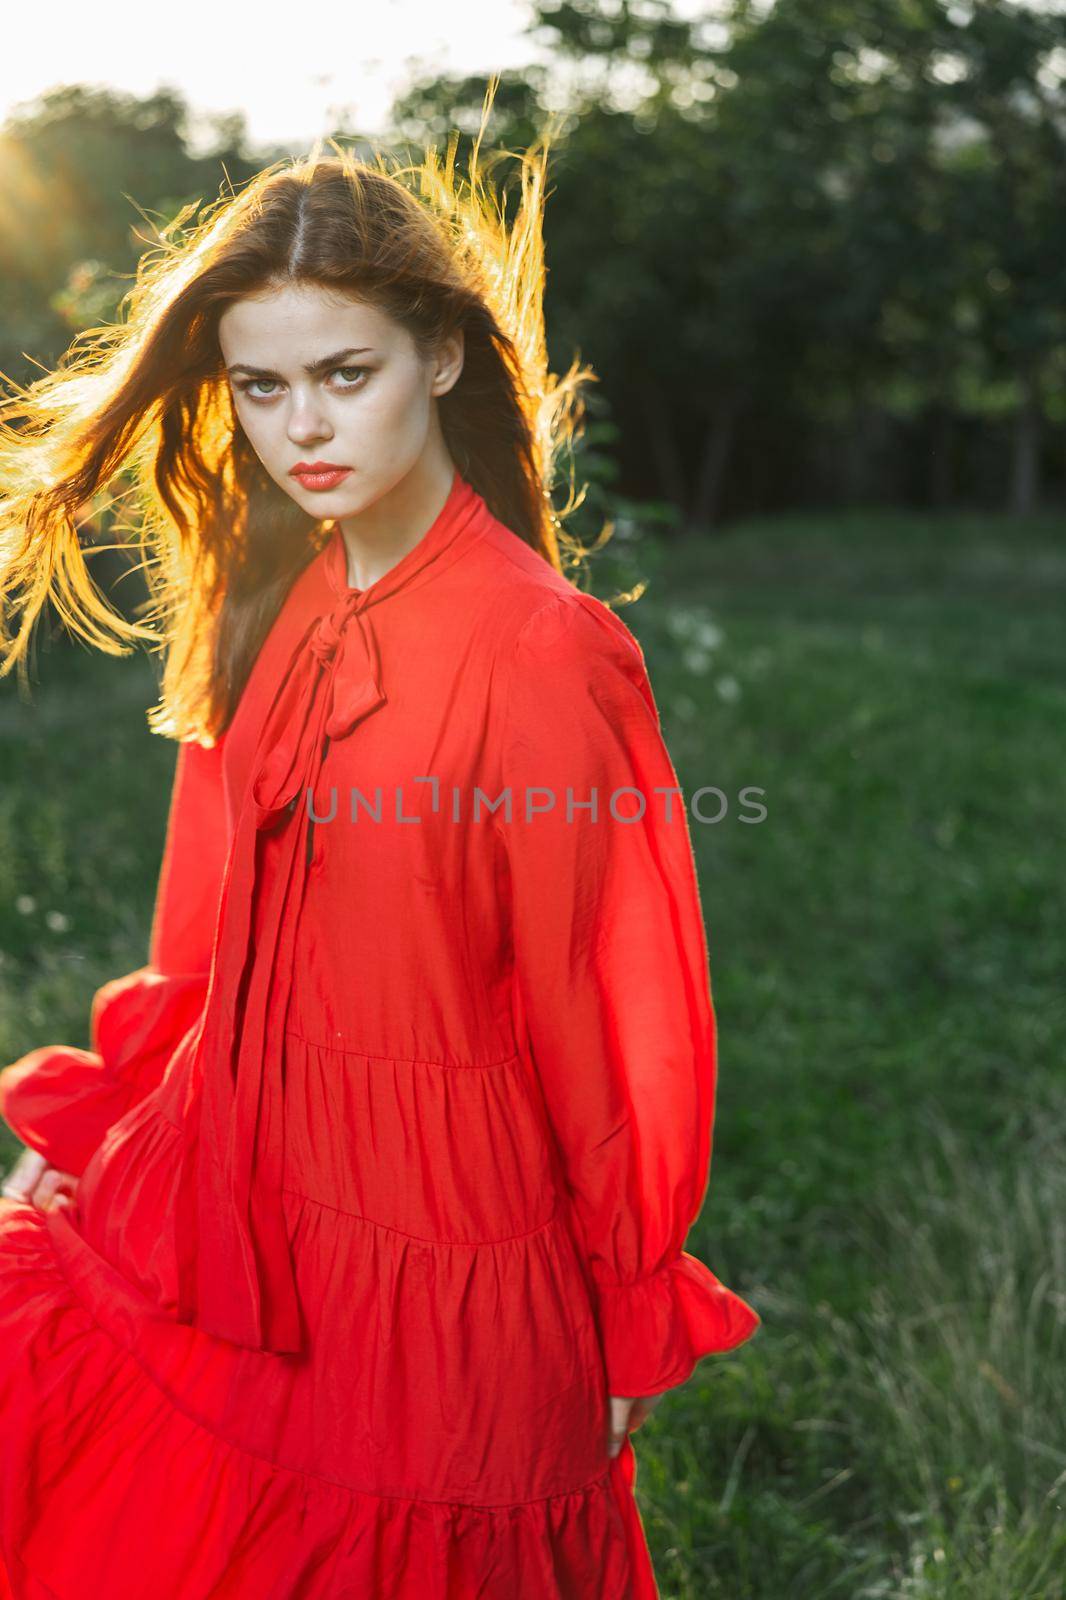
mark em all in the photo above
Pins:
pixel 82 823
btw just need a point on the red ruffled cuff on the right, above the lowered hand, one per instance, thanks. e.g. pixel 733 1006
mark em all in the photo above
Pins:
pixel 655 1330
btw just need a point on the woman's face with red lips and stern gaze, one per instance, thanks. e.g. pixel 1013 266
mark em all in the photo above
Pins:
pixel 323 382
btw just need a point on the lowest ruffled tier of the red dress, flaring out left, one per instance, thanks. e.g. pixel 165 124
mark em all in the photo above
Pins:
pixel 124 1442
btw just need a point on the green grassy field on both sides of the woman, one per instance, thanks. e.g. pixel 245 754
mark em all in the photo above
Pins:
pixel 889 1183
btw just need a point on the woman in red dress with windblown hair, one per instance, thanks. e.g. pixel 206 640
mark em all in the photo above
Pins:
pixel 372 1191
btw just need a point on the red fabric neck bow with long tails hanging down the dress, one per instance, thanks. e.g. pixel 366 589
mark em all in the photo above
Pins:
pixel 234 1263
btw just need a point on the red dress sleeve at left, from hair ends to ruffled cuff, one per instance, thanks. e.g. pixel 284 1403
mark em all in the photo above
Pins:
pixel 60 1100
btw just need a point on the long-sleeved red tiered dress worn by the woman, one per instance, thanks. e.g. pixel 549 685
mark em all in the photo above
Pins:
pixel 388 1156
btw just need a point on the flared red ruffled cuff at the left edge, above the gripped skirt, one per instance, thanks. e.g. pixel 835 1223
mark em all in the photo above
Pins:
pixel 62 1102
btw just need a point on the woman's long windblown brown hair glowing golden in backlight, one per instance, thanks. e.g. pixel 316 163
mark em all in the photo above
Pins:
pixel 146 402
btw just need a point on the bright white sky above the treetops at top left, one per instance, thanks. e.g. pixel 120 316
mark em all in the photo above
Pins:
pixel 295 70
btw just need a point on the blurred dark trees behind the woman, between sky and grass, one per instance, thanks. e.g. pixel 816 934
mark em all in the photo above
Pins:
pixel 816 250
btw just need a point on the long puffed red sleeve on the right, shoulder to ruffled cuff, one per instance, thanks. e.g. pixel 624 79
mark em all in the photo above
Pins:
pixel 614 985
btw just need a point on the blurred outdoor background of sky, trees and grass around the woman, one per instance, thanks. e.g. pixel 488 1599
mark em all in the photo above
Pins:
pixel 816 252
